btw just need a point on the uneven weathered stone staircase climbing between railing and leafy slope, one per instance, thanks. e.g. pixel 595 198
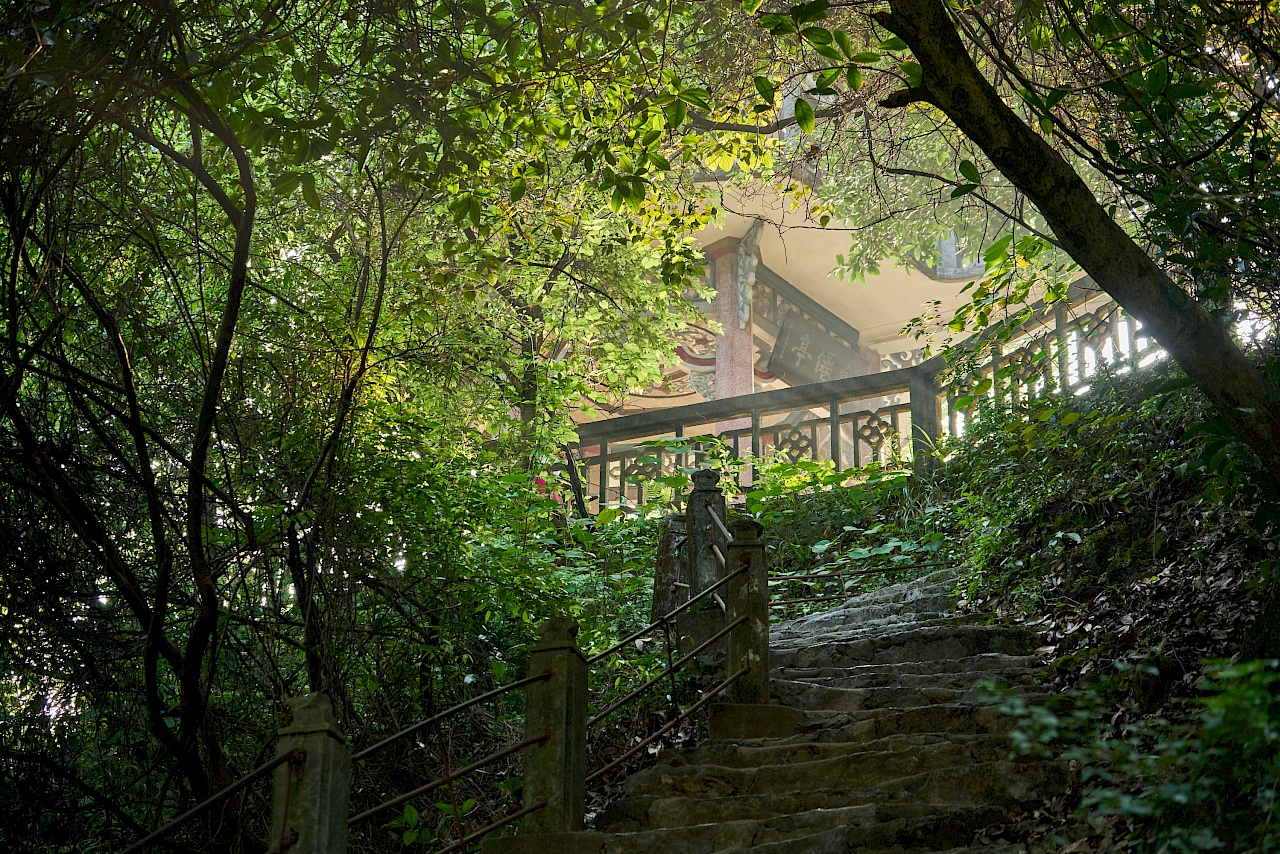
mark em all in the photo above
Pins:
pixel 876 743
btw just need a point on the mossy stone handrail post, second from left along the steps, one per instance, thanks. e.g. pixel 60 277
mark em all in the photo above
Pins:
pixel 556 707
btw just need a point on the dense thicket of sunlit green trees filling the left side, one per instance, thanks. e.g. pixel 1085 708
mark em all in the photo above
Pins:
pixel 254 253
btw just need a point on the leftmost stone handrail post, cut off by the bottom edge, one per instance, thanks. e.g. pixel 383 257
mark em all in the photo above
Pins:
pixel 313 797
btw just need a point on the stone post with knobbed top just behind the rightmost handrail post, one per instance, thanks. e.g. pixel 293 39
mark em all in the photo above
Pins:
pixel 706 619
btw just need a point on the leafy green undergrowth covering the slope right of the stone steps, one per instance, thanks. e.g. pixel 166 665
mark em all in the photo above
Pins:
pixel 1140 538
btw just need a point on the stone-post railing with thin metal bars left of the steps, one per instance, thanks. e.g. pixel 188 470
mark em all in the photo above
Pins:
pixel 720 627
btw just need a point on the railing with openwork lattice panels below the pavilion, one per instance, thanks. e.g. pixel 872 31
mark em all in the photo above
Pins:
pixel 895 415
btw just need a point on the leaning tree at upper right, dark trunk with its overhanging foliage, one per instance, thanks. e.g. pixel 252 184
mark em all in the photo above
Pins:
pixel 1169 106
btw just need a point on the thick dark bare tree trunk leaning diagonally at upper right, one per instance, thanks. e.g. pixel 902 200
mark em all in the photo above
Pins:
pixel 1199 342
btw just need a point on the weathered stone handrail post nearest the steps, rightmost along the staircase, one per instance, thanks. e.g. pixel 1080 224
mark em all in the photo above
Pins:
pixel 749 596
